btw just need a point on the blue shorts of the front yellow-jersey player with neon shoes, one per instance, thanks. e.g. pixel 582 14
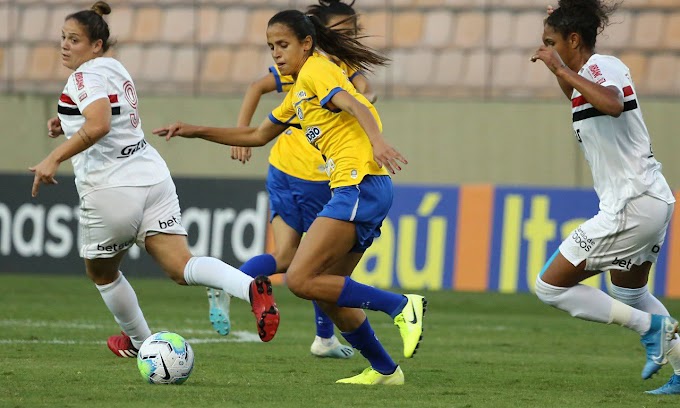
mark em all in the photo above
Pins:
pixel 366 205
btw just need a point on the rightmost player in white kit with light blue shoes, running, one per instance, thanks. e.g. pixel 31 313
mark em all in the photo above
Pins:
pixel 636 203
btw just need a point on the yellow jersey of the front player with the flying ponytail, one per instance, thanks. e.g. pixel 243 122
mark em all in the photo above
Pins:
pixel 338 136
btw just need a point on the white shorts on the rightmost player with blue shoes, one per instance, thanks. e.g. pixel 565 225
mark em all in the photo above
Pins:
pixel 630 237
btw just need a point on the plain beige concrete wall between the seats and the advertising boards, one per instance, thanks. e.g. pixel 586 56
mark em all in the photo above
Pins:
pixel 446 142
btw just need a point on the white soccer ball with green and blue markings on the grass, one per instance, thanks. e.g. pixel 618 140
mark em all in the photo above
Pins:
pixel 165 358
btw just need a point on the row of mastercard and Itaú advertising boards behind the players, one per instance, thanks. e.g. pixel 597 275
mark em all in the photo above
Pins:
pixel 467 238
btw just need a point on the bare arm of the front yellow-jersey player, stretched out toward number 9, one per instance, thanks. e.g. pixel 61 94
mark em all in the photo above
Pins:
pixel 238 136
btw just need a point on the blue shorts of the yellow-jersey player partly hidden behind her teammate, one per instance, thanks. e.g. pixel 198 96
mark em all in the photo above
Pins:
pixel 295 200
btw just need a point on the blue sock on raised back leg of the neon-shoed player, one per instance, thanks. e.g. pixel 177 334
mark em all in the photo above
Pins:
pixel 355 294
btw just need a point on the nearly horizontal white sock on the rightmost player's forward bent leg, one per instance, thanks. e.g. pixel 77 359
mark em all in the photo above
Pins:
pixel 588 303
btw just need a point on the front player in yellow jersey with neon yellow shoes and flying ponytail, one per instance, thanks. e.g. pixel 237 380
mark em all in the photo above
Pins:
pixel 346 129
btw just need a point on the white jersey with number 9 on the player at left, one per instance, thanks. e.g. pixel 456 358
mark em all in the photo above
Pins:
pixel 122 157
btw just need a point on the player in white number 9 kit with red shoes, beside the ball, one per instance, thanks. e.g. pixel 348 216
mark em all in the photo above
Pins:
pixel 126 193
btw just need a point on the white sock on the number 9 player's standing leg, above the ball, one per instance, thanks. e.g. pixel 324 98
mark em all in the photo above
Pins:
pixel 121 300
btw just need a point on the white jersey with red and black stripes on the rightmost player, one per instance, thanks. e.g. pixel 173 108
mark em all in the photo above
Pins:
pixel 618 150
